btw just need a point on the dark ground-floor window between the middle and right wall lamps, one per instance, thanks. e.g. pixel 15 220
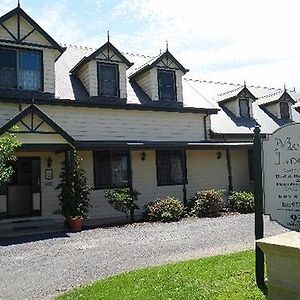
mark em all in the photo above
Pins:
pixel 170 167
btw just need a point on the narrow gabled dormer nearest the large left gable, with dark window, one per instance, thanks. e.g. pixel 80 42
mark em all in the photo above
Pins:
pixel 103 73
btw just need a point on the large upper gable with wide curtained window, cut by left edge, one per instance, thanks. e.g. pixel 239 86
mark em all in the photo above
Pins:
pixel 27 55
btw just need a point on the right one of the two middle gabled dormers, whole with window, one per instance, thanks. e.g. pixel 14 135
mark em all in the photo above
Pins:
pixel 161 78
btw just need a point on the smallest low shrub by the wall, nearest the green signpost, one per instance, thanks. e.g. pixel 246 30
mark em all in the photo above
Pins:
pixel 242 202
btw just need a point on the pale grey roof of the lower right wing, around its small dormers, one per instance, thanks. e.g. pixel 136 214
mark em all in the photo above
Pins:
pixel 226 123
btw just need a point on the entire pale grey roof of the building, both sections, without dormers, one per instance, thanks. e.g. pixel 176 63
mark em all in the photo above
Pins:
pixel 196 93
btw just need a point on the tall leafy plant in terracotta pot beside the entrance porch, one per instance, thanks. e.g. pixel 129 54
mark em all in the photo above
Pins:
pixel 74 193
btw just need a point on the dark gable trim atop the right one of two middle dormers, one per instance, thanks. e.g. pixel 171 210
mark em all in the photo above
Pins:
pixel 155 61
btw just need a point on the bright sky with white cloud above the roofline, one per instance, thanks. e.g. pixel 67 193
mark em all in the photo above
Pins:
pixel 255 41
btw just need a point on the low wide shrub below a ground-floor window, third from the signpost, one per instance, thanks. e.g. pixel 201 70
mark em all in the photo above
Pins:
pixel 164 210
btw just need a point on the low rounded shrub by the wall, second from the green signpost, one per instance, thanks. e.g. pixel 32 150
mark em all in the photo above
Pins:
pixel 205 203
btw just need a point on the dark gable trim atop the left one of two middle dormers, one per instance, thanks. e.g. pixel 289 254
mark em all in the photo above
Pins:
pixel 107 57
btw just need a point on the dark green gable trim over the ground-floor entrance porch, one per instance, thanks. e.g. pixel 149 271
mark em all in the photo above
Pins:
pixel 32 110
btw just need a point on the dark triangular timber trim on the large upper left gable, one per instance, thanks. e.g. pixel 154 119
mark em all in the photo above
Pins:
pixel 19 12
